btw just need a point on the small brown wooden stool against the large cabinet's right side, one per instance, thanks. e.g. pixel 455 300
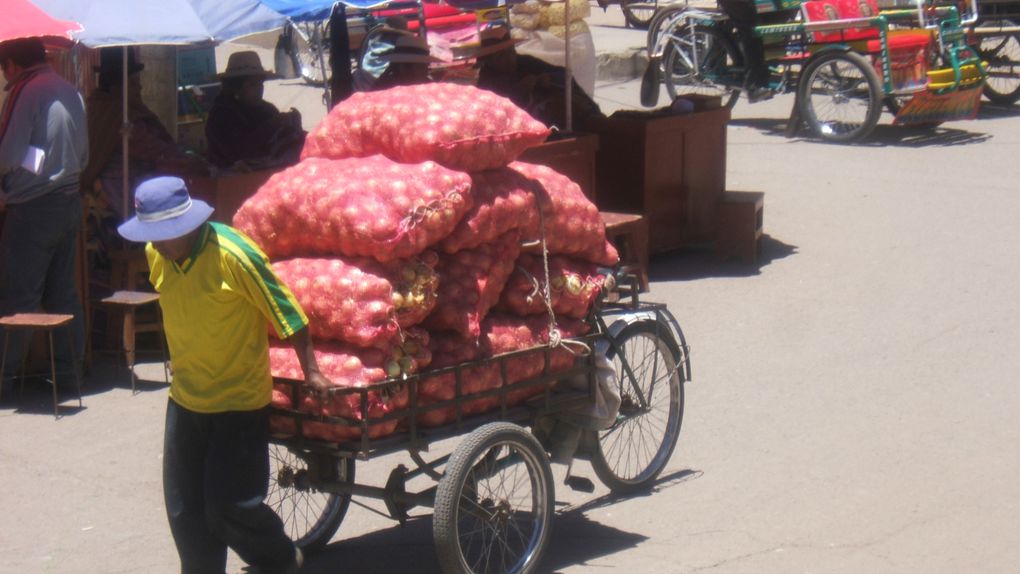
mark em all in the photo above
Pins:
pixel 741 221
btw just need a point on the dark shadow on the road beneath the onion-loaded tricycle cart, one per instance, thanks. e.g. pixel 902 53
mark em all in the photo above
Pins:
pixel 411 548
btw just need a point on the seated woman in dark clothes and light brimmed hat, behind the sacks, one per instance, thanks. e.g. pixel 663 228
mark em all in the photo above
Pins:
pixel 243 131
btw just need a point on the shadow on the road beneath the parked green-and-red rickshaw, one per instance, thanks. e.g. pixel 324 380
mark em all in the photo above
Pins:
pixel 883 136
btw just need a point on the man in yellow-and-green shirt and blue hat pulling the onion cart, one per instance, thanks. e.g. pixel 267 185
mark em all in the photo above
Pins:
pixel 218 291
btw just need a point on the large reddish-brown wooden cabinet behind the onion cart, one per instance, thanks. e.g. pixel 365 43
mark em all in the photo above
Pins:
pixel 671 169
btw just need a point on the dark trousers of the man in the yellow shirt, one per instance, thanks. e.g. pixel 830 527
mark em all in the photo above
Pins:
pixel 216 477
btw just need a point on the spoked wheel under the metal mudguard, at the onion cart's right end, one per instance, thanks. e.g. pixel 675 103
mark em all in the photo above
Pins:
pixel 638 447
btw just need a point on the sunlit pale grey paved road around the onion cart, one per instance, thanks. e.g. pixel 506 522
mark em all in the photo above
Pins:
pixel 852 410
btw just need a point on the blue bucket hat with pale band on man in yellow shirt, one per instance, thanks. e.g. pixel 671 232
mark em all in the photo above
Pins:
pixel 165 212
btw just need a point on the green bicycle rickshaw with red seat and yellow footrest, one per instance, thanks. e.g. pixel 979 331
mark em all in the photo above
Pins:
pixel 844 60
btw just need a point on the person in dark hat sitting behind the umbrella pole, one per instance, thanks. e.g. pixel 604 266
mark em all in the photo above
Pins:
pixel 151 149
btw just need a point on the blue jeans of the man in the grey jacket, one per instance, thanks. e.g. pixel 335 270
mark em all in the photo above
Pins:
pixel 37 272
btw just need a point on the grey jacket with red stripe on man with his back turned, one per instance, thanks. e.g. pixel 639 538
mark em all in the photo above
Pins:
pixel 45 112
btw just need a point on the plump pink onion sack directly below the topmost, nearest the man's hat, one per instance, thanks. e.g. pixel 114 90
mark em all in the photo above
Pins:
pixel 370 206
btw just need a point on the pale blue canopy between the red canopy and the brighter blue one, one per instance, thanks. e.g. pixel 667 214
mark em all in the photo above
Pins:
pixel 125 23
